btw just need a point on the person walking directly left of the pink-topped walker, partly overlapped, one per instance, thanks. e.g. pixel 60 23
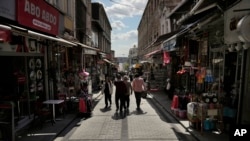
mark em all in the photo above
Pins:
pixel 128 93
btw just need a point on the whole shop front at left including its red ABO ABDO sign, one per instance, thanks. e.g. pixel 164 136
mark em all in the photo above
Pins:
pixel 25 42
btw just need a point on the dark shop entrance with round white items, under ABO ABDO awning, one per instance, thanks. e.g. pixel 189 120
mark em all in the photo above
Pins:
pixel 22 82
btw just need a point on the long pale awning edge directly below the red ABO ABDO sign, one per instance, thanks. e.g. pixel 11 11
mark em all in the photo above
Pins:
pixel 26 32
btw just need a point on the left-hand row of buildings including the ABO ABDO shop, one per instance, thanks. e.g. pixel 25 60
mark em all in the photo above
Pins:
pixel 43 47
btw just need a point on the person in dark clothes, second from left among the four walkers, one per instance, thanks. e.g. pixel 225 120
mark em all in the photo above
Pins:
pixel 120 93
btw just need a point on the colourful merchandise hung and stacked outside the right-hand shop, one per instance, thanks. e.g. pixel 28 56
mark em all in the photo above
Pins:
pixel 204 71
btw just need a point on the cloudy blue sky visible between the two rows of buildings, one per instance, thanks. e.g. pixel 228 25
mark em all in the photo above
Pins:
pixel 124 17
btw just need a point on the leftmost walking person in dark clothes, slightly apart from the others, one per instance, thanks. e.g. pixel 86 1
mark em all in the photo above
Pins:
pixel 107 90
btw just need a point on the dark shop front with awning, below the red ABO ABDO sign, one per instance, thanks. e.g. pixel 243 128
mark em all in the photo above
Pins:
pixel 25 70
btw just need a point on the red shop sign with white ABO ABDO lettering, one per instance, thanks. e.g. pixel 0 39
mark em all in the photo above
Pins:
pixel 39 15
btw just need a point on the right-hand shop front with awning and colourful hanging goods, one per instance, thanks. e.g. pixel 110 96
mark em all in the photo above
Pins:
pixel 200 75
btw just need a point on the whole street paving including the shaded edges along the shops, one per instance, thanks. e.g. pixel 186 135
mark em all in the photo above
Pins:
pixel 106 124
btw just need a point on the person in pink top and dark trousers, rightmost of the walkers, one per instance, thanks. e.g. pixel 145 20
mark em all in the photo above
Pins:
pixel 138 88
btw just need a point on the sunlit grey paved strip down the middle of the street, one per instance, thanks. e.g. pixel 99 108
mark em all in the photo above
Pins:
pixel 107 124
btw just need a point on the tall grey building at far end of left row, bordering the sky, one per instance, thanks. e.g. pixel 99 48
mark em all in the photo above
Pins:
pixel 102 38
